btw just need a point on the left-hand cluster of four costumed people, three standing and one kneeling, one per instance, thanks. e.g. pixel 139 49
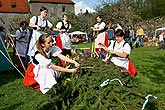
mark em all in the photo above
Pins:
pixel 41 72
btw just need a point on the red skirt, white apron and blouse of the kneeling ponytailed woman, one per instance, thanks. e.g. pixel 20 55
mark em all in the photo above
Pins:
pixel 41 76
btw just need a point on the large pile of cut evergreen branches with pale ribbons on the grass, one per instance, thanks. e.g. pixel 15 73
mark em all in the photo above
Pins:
pixel 83 91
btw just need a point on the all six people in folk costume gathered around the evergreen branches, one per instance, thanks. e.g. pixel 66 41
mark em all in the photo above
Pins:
pixel 42 73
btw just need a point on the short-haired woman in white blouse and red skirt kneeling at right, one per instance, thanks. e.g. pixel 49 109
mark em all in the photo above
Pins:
pixel 120 51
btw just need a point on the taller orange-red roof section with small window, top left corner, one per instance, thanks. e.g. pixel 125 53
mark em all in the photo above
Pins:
pixel 14 6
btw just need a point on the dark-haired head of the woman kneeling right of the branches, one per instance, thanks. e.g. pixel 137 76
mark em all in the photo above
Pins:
pixel 119 35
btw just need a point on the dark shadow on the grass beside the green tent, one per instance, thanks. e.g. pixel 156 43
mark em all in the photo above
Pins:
pixel 9 76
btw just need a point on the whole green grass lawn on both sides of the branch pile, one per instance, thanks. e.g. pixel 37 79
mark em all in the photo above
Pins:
pixel 149 62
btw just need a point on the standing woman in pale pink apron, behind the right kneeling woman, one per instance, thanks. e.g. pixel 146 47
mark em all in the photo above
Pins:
pixel 102 36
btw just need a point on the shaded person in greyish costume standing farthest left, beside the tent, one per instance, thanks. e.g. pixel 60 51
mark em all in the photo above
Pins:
pixel 22 38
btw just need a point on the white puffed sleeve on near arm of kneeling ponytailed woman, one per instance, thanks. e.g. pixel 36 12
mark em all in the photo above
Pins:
pixel 42 60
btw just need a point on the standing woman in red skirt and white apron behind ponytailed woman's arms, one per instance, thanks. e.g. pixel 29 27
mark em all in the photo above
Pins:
pixel 63 40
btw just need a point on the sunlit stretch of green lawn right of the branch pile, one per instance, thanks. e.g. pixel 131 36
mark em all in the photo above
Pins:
pixel 151 68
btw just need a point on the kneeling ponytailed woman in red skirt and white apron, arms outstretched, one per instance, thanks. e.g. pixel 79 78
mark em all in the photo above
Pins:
pixel 42 73
